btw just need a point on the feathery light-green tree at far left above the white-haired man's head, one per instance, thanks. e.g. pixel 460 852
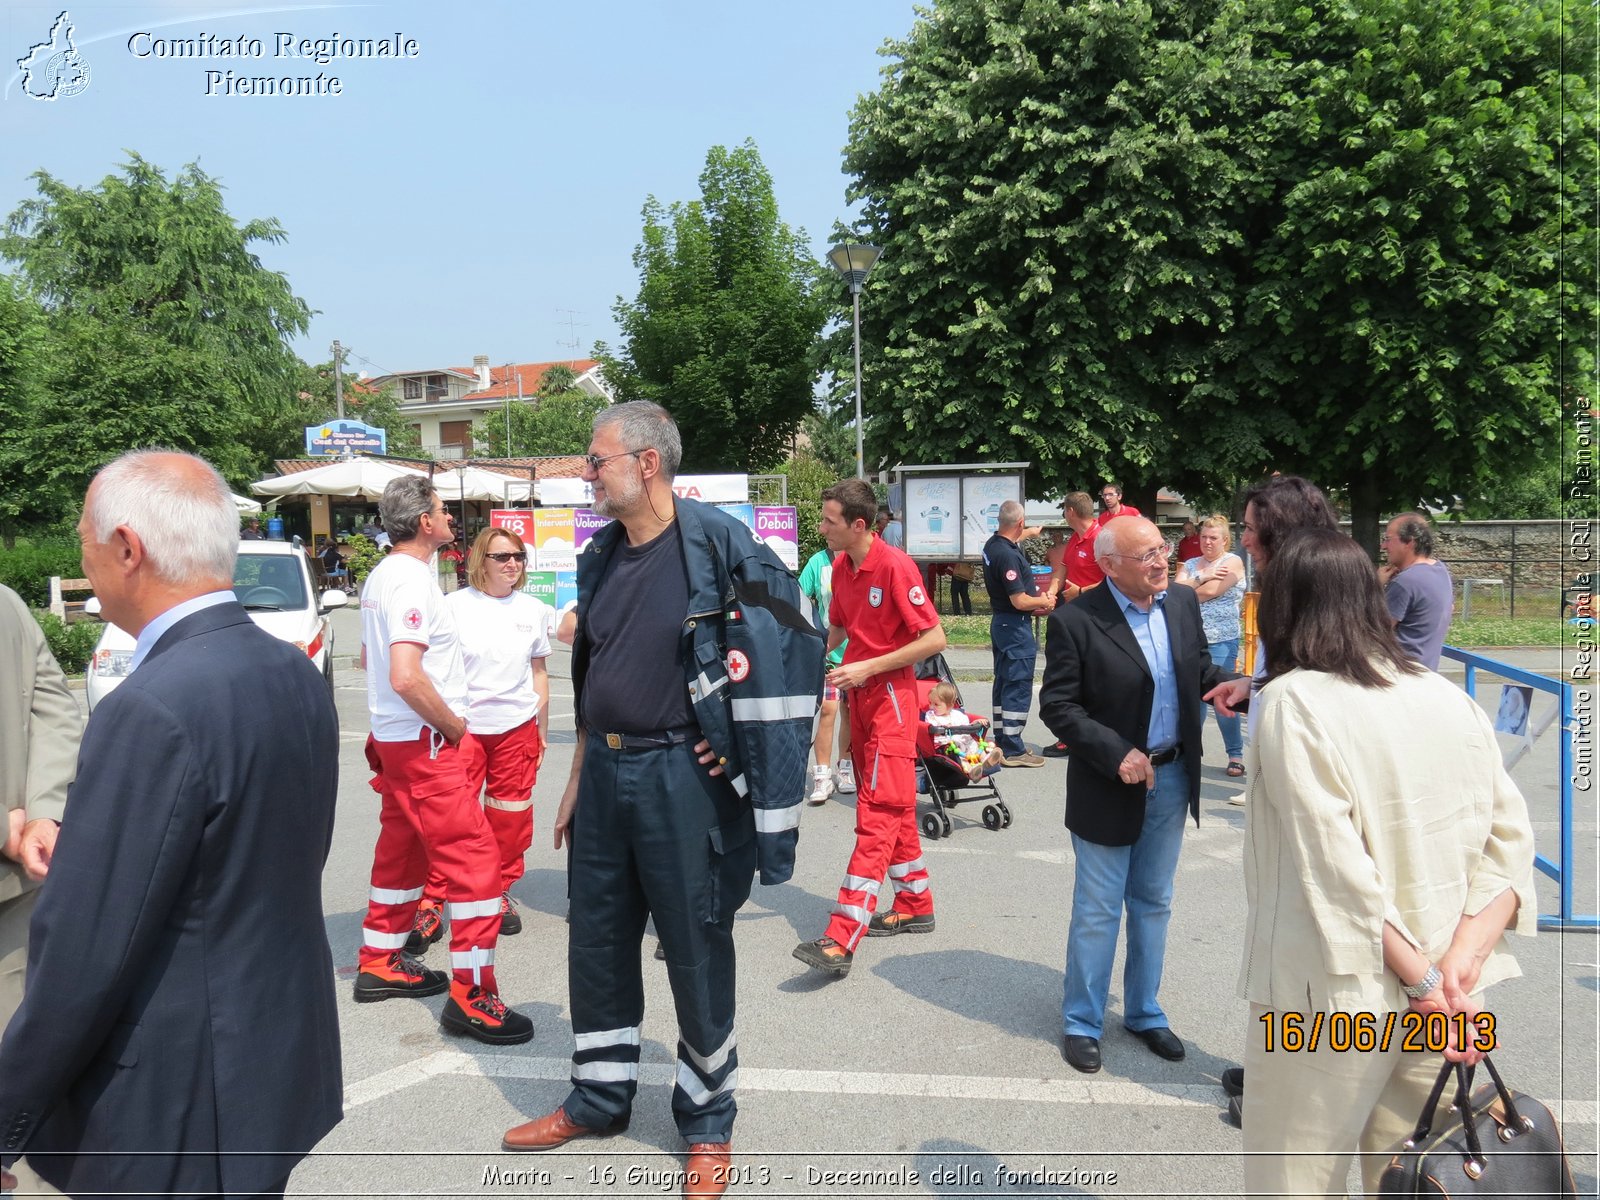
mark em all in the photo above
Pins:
pixel 162 327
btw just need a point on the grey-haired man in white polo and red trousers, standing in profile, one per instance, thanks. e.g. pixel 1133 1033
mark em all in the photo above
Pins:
pixel 417 694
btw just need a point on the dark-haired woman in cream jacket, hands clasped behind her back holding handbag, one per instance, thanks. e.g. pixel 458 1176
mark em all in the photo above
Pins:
pixel 1388 855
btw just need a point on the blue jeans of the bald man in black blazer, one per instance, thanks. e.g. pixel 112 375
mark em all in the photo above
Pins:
pixel 1142 879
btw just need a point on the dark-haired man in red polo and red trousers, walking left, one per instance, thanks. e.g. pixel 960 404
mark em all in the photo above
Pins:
pixel 882 607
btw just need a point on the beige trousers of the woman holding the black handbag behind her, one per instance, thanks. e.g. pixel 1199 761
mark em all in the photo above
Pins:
pixel 1321 1110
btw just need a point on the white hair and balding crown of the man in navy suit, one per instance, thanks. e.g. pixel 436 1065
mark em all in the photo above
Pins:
pixel 190 534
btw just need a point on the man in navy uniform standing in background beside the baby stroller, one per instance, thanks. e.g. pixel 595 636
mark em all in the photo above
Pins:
pixel 1014 599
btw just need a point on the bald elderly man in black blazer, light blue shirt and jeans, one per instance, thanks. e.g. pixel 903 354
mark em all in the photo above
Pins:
pixel 1126 668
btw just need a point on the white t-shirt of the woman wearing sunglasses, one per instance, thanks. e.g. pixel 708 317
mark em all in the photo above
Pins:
pixel 500 636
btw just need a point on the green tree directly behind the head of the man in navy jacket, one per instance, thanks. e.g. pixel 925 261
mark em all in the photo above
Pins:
pixel 724 326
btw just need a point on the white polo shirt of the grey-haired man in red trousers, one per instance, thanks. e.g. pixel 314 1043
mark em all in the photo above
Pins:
pixel 402 602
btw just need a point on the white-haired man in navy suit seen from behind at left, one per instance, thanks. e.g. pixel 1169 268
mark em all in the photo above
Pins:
pixel 178 1034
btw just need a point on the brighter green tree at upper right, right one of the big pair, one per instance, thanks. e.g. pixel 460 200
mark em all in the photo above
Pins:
pixel 1425 273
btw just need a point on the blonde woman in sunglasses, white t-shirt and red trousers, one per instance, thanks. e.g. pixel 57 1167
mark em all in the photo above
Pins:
pixel 505 641
